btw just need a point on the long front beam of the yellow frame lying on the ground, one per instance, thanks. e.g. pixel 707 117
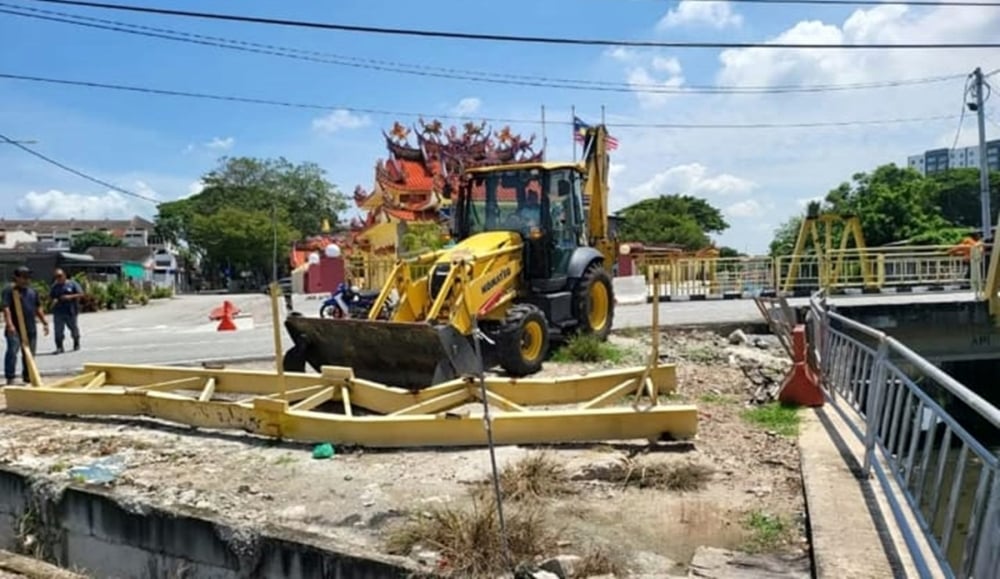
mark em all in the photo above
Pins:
pixel 273 418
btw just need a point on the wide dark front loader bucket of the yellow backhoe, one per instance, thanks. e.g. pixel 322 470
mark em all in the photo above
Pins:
pixel 402 354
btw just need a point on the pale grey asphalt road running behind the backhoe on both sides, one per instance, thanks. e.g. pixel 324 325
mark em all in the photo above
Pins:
pixel 178 330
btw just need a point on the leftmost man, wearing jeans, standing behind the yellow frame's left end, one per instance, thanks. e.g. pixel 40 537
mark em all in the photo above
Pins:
pixel 31 308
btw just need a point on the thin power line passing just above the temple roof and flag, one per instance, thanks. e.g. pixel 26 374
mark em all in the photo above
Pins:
pixel 382 112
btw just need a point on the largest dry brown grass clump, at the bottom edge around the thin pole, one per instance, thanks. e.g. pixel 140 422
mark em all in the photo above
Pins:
pixel 468 541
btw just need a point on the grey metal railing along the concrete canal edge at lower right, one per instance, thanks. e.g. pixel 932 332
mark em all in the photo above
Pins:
pixel 894 402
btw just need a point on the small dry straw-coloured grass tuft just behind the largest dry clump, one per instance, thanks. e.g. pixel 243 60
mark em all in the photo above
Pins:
pixel 535 476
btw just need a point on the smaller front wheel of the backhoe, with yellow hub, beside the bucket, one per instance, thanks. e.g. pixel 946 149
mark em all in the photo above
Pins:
pixel 523 340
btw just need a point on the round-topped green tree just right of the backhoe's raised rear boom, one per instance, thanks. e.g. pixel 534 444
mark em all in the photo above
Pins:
pixel 674 219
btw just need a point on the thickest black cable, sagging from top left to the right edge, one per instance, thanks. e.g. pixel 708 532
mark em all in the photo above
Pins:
pixel 501 37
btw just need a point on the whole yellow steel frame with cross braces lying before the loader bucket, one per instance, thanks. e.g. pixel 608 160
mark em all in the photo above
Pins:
pixel 336 407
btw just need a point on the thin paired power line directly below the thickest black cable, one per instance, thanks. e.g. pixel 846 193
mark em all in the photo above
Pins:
pixel 457 74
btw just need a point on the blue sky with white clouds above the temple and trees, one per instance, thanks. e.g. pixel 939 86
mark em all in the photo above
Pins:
pixel 158 146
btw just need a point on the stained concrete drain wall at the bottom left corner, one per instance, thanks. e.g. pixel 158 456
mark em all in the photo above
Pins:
pixel 90 531
